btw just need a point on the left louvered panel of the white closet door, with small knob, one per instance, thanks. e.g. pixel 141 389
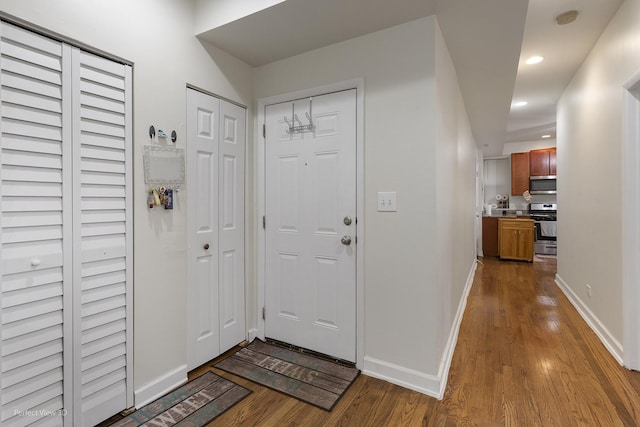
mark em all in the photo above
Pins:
pixel 35 219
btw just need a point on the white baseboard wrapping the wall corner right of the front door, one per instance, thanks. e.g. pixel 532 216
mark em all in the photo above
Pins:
pixel 431 385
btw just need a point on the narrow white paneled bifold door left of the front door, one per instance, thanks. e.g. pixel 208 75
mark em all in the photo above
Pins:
pixel 215 182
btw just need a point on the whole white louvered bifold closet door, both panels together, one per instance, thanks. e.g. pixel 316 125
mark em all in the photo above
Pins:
pixel 65 218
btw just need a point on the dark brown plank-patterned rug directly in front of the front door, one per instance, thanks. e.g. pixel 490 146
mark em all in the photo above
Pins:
pixel 307 378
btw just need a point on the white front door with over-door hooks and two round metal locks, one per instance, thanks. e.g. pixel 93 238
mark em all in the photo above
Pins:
pixel 310 289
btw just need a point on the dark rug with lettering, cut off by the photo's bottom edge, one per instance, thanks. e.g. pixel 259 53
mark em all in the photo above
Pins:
pixel 194 404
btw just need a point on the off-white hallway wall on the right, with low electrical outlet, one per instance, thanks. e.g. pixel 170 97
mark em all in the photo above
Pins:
pixel 589 139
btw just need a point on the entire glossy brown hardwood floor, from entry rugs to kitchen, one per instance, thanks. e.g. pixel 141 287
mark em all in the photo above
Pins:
pixel 524 357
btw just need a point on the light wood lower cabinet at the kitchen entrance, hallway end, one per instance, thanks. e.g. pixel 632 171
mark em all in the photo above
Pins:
pixel 515 238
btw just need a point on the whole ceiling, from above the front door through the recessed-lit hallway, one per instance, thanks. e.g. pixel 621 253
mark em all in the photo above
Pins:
pixel 488 41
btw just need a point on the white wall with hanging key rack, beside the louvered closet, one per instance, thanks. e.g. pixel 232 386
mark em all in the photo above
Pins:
pixel 158 37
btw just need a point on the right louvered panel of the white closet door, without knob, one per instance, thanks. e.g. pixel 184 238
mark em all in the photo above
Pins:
pixel 102 245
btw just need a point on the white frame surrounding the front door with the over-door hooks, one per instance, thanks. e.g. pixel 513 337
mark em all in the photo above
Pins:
pixel 358 85
